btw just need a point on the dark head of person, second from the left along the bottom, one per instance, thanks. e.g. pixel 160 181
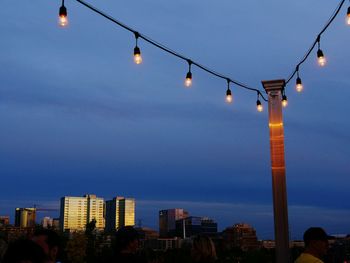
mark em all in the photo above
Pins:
pixel 49 240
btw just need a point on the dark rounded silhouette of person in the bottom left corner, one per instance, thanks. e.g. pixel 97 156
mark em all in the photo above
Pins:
pixel 24 251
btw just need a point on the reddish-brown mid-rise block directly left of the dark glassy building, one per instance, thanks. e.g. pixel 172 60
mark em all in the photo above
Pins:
pixel 167 221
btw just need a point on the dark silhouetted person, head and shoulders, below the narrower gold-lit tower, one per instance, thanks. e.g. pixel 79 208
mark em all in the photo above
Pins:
pixel 127 244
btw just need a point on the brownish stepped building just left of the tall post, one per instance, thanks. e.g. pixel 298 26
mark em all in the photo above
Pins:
pixel 242 236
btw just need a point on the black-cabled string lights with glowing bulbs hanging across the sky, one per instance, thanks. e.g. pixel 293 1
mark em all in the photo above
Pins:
pixel 63 21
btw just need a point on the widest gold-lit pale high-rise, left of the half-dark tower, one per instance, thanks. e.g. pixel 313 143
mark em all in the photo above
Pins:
pixel 76 212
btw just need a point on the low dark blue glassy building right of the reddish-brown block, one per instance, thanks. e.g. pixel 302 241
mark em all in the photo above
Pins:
pixel 194 225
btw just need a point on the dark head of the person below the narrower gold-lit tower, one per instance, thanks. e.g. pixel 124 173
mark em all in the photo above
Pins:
pixel 127 240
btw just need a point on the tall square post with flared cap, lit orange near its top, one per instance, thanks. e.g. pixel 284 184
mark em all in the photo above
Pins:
pixel 274 90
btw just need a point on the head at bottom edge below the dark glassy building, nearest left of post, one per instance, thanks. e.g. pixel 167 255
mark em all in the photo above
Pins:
pixel 203 249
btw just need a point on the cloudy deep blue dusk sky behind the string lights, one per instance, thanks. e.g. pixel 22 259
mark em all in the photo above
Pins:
pixel 78 116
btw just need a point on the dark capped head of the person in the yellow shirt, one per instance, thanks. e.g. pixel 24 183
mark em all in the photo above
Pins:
pixel 316 241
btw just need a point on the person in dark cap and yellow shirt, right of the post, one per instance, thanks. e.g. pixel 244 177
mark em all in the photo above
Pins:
pixel 316 246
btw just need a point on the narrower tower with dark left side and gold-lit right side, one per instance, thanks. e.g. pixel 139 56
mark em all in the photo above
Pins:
pixel 120 212
